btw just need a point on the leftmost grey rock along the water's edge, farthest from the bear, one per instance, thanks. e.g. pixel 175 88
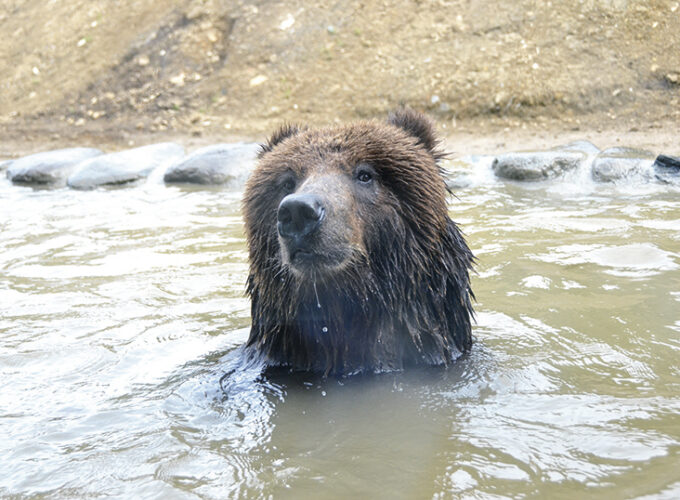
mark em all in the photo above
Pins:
pixel 48 167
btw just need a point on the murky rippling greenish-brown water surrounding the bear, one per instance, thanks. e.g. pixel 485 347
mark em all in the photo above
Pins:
pixel 121 309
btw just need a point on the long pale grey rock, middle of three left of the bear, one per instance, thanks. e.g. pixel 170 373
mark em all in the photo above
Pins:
pixel 125 166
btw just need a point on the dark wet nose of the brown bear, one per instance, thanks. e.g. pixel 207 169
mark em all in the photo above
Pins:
pixel 299 215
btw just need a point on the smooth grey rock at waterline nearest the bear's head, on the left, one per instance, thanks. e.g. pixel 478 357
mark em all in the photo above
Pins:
pixel 218 164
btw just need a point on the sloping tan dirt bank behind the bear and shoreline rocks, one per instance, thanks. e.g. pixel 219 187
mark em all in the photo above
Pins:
pixel 111 71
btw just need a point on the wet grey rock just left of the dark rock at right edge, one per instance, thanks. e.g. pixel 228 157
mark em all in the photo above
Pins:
pixel 616 164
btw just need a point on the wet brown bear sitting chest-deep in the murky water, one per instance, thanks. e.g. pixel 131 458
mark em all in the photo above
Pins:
pixel 355 265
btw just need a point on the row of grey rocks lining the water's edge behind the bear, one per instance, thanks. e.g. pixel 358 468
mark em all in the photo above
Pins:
pixel 231 163
